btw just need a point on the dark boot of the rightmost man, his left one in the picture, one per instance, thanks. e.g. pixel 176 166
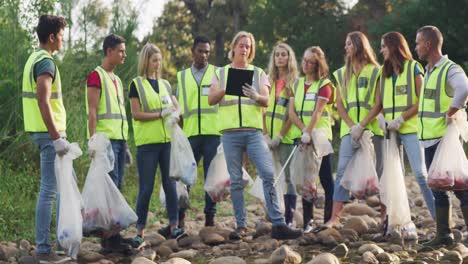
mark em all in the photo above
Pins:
pixel 444 236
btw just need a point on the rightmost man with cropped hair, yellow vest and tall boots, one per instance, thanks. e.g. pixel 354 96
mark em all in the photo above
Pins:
pixel 444 93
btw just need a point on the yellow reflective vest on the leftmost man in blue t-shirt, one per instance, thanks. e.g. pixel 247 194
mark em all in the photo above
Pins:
pixel 33 121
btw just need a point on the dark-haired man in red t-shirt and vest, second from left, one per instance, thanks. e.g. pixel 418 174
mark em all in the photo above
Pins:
pixel 106 114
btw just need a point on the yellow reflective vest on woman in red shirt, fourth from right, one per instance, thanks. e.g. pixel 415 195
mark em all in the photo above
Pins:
pixel 305 103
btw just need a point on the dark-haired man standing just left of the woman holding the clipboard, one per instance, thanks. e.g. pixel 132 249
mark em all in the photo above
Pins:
pixel 193 85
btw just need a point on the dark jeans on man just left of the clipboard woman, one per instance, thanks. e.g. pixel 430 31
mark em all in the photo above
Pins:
pixel 205 146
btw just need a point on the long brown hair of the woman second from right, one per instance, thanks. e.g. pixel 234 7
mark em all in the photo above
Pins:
pixel 398 52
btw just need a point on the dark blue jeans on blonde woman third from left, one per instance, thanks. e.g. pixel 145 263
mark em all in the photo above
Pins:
pixel 148 156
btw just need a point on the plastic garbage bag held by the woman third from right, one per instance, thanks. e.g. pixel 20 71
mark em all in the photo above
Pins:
pixel 360 176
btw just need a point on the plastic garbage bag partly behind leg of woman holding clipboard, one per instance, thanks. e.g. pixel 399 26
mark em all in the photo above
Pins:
pixel 218 183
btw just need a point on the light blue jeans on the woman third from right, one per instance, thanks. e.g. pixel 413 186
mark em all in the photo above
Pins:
pixel 340 194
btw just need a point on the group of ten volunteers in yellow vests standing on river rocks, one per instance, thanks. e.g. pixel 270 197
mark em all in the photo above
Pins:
pixel 280 110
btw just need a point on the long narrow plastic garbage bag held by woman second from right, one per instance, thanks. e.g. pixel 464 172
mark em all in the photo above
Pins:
pixel 393 191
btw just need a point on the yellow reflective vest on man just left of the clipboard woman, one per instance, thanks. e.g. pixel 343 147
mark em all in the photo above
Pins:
pixel 198 115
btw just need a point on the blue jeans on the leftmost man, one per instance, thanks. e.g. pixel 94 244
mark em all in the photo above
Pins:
pixel 47 192
